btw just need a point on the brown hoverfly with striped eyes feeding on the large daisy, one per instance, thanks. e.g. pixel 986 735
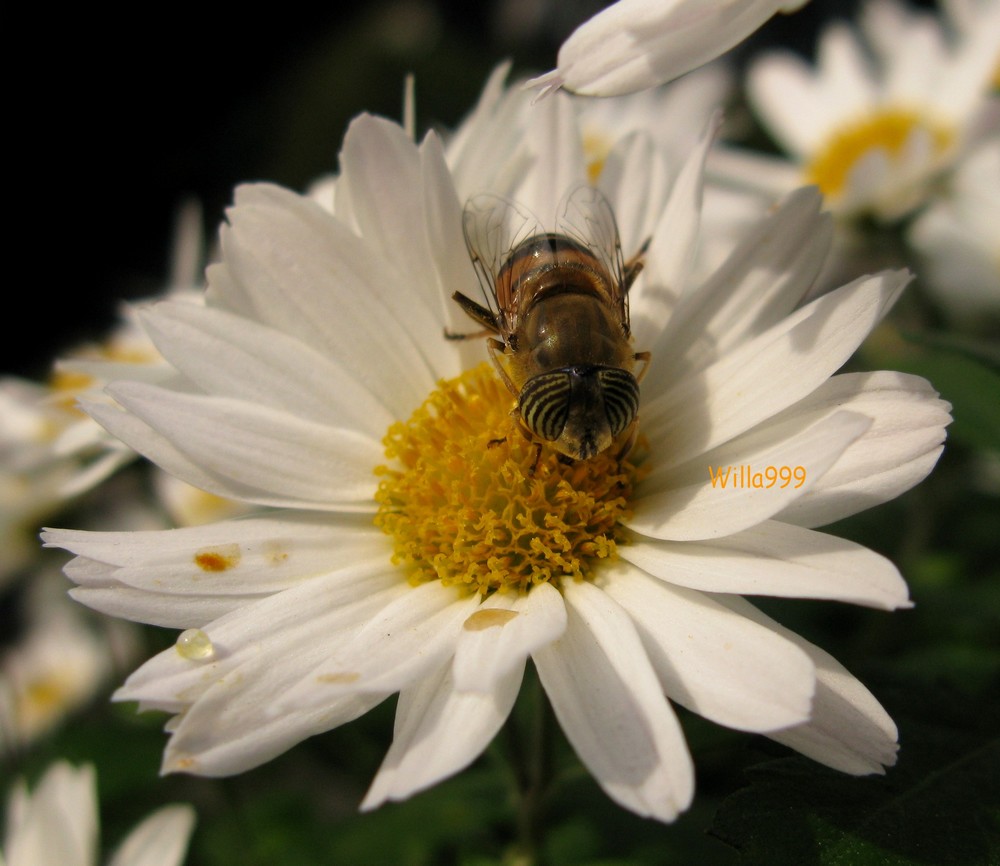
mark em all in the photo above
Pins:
pixel 556 315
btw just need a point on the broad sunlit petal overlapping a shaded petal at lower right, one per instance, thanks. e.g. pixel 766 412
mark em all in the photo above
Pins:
pixel 715 662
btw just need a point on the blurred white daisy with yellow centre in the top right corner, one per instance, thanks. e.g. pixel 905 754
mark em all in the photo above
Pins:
pixel 887 110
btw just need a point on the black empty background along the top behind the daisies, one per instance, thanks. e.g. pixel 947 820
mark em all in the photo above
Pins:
pixel 118 118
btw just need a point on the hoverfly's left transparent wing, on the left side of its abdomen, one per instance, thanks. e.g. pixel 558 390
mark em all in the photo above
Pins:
pixel 494 227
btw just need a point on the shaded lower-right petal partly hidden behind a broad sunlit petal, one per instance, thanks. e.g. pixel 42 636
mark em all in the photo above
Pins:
pixel 849 729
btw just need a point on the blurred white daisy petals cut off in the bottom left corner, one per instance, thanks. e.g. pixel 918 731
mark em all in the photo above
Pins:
pixel 58 824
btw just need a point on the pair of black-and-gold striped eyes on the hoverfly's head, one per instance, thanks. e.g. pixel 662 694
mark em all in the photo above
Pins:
pixel 598 397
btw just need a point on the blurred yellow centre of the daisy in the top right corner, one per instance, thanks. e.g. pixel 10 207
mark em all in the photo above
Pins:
pixel 889 131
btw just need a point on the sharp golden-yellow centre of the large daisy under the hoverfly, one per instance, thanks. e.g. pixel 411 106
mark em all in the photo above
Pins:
pixel 466 504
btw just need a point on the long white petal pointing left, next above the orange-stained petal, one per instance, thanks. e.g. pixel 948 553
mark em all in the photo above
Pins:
pixel 287 459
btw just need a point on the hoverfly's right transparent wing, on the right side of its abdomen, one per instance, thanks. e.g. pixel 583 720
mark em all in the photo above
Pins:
pixel 585 216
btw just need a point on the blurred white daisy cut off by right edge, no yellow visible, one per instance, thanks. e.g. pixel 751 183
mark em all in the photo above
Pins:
pixel 958 240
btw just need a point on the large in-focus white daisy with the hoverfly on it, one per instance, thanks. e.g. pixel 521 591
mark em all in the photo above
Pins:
pixel 411 540
